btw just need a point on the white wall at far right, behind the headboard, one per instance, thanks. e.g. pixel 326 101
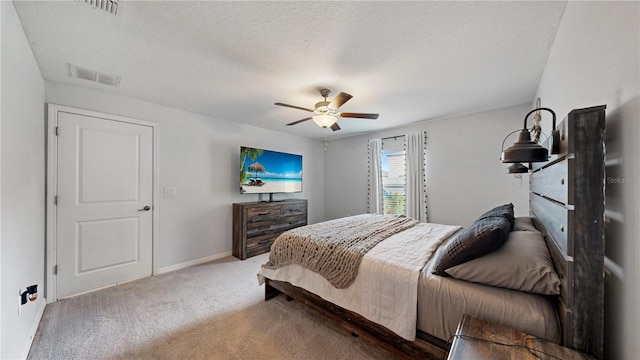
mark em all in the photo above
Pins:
pixel 594 60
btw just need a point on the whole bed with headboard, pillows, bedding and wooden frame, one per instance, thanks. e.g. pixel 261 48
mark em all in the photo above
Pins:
pixel 566 212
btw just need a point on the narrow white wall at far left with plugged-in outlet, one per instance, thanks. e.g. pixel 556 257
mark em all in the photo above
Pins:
pixel 23 185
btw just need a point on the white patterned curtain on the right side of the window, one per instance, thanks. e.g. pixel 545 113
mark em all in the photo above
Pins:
pixel 415 192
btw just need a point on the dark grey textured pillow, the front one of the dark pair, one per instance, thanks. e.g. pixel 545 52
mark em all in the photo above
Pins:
pixel 483 236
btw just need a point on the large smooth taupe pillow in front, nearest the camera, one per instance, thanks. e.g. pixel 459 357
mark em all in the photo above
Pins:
pixel 523 263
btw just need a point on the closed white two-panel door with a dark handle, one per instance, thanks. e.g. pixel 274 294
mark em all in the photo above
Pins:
pixel 105 191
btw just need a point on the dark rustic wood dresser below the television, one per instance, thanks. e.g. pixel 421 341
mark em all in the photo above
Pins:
pixel 257 224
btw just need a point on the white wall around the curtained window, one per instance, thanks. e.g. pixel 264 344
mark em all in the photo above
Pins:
pixel 465 176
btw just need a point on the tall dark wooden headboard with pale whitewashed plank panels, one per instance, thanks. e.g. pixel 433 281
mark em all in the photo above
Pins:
pixel 567 204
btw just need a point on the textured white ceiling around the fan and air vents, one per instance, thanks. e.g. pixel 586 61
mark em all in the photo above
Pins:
pixel 408 61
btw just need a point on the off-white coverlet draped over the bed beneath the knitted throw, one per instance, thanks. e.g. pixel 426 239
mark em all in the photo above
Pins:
pixel 386 288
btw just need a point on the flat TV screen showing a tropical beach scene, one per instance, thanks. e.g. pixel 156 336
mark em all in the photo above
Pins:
pixel 267 172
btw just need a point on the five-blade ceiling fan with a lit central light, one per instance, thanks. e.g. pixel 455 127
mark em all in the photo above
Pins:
pixel 326 113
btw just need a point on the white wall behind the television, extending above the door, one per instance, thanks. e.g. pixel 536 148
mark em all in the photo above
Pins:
pixel 200 156
